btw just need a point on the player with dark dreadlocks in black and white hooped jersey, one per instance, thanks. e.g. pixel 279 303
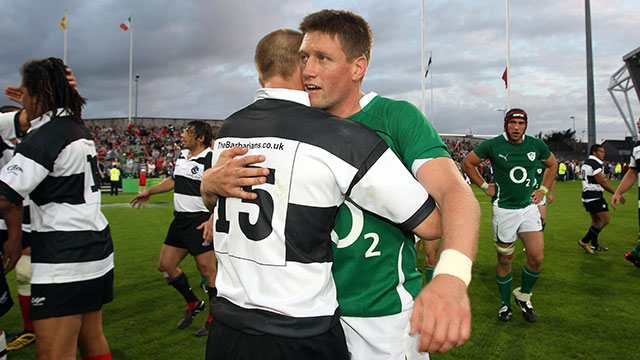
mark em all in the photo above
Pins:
pixel 72 255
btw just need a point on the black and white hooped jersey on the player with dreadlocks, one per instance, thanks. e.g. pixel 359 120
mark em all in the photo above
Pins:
pixel 56 165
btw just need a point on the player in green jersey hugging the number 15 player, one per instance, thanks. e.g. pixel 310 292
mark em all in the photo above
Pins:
pixel 334 62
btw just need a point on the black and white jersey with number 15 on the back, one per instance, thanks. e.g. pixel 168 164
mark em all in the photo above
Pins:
pixel 274 252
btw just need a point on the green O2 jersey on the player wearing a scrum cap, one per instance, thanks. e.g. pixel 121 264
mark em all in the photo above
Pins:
pixel 515 167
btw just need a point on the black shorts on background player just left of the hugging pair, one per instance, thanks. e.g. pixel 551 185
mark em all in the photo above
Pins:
pixel 183 234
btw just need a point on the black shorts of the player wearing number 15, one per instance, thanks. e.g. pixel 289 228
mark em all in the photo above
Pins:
pixel 227 343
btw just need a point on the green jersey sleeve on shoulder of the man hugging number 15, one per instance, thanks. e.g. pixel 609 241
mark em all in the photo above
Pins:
pixel 416 138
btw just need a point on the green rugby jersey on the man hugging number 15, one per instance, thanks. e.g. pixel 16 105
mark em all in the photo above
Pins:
pixel 374 261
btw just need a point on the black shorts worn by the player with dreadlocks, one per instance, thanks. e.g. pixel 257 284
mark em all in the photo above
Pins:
pixel 81 297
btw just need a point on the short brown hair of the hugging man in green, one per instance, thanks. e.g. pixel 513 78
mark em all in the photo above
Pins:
pixel 352 31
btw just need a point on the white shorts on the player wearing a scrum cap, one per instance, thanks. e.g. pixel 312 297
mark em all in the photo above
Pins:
pixel 508 223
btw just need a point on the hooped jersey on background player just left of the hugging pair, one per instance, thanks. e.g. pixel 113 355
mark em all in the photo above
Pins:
pixel 187 177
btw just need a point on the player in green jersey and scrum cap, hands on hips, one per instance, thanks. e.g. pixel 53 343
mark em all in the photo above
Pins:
pixel 515 157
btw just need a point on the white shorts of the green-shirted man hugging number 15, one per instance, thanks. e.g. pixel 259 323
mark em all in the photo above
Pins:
pixel 382 338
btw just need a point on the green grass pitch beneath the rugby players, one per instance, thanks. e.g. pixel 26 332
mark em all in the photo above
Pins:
pixel 587 305
